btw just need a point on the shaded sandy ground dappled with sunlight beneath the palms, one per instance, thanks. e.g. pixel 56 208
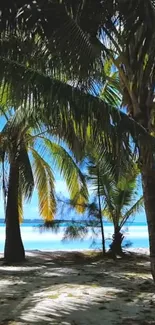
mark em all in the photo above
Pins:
pixel 75 288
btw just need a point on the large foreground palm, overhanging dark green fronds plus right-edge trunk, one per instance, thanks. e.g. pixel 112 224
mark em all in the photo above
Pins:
pixel 52 60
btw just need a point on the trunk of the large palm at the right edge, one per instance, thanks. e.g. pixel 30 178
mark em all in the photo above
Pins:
pixel 148 182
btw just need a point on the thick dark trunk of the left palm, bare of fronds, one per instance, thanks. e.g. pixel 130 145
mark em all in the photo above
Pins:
pixel 14 250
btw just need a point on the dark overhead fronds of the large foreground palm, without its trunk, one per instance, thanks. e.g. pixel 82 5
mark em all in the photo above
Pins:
pixel 52 79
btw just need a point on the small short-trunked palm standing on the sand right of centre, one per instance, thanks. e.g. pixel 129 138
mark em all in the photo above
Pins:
pixel 120 205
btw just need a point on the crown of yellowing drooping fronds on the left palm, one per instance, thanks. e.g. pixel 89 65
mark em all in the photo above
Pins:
pixel 34 151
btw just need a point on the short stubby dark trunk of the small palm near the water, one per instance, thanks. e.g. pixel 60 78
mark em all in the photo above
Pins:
pixel 116 245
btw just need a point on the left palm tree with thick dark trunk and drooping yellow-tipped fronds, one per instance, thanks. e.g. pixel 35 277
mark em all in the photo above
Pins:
pixel 30 152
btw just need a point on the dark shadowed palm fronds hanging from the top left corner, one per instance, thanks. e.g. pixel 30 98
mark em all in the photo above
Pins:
pixel 63 25
